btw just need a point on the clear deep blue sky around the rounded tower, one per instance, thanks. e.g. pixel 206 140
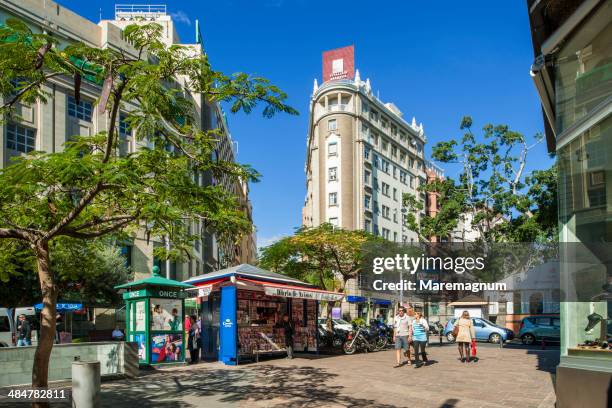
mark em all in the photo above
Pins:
pixel 437 61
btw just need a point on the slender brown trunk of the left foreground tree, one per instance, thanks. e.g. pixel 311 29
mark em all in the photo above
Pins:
pixel 40 369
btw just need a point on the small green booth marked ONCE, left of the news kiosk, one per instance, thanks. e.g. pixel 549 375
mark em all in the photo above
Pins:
pixel 155 313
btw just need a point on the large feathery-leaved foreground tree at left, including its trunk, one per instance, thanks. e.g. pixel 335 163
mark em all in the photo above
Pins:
pixel 88 190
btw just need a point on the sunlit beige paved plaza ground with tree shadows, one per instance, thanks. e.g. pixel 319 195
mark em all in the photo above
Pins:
pixel 508 377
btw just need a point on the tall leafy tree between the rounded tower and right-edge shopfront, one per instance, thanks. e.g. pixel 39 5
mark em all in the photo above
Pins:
pixel 505 203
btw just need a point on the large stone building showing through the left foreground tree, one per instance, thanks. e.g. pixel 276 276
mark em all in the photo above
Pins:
pixel 46 126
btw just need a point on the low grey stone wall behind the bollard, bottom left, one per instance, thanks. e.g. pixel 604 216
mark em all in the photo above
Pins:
pixel 116 359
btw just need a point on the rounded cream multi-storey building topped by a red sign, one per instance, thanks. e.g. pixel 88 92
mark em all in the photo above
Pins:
pixel 362 156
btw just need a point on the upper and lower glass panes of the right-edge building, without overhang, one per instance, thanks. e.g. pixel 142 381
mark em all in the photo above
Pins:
pixel 583 85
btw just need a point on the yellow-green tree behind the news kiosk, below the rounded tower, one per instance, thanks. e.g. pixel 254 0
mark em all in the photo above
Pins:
pixel 326 256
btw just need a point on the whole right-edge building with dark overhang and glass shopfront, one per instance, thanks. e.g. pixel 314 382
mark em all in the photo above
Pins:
pixel 572 72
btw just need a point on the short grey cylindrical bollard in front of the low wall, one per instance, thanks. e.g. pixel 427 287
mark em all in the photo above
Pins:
pixel 86 384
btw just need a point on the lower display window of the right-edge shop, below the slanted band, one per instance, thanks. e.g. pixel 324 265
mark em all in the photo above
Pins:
pixel 585 216
